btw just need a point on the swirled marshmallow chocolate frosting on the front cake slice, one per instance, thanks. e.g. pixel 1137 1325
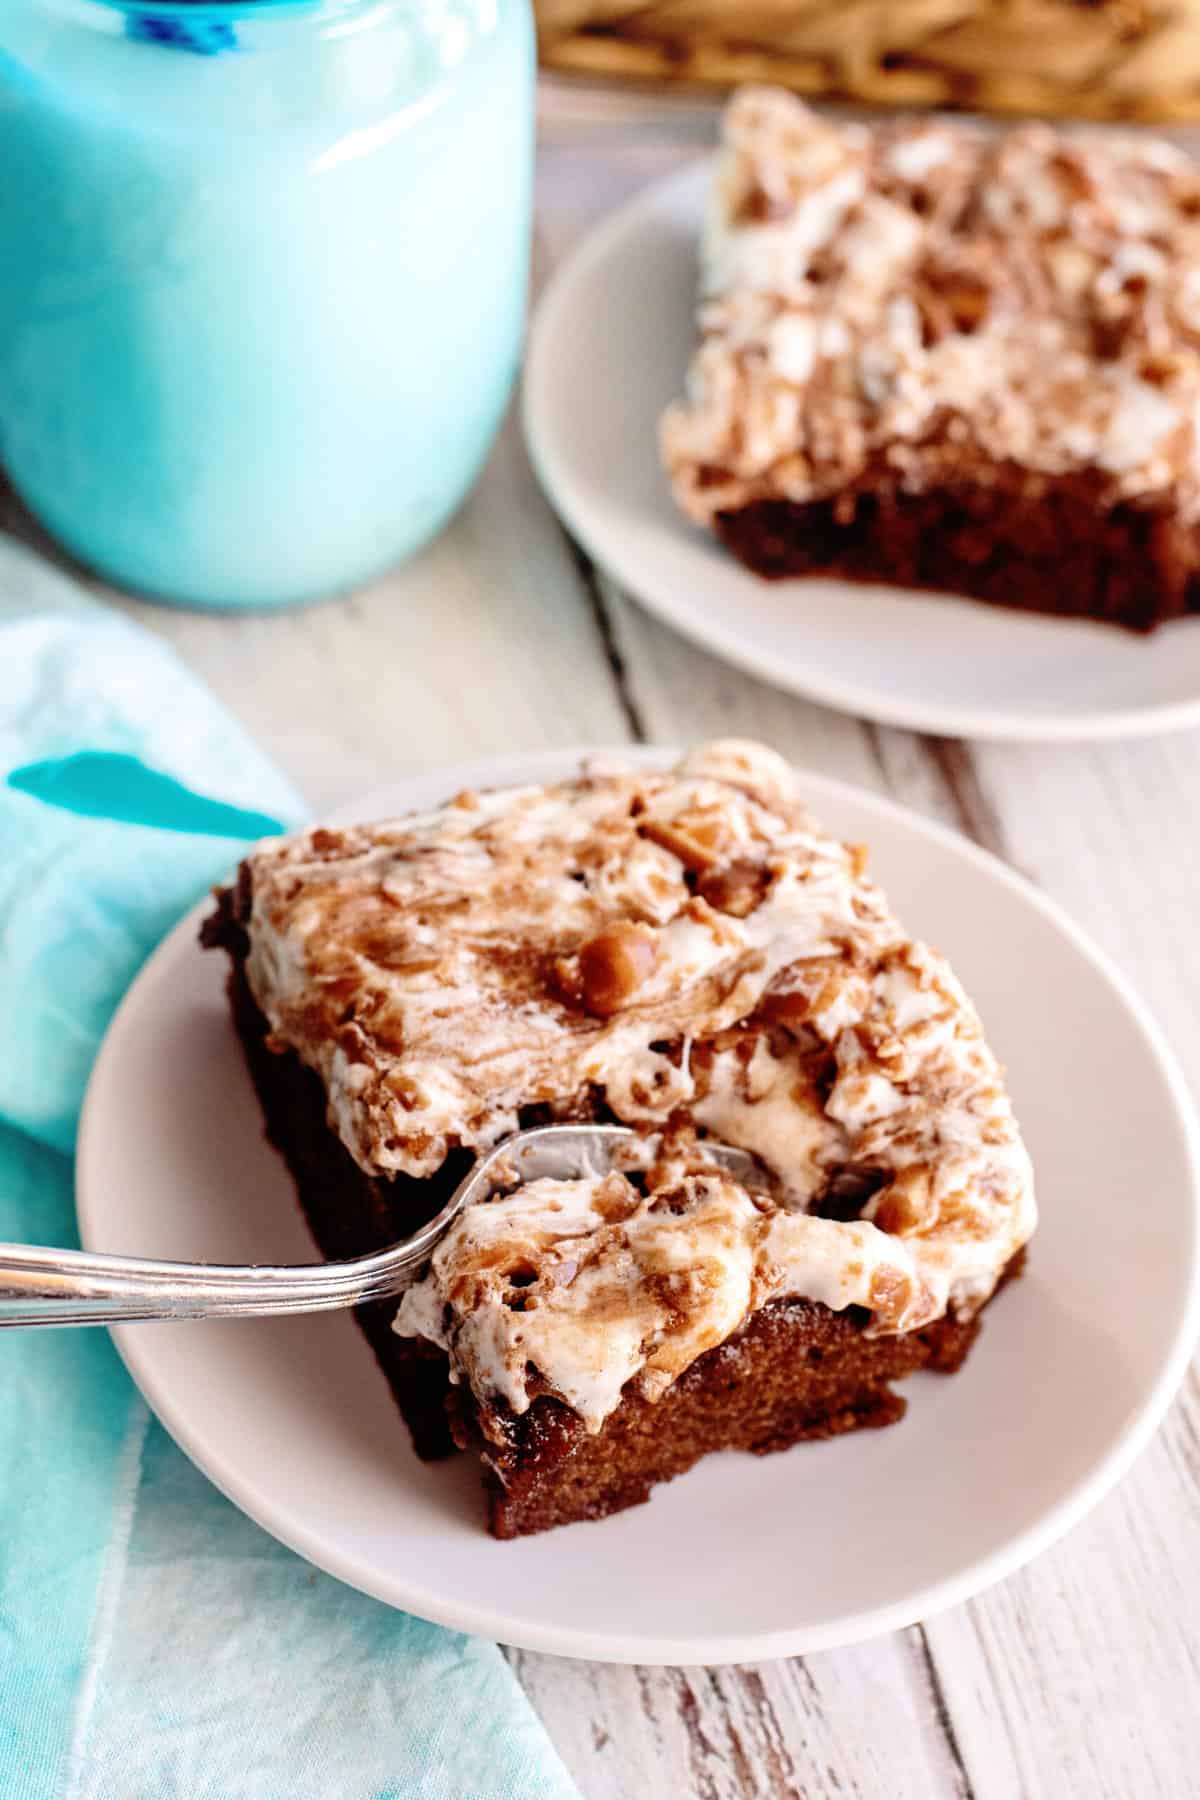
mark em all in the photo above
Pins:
pixel 683 949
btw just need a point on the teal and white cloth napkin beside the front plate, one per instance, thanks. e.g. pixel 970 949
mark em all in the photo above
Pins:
pixel 154 1642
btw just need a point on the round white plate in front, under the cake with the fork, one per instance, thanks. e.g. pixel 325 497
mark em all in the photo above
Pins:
pixel 746 1558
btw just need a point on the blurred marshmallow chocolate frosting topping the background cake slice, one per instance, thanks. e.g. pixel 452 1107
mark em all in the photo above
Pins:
pixel 918 300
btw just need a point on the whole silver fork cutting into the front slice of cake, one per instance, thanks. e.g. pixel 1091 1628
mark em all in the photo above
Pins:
pixel 80 1288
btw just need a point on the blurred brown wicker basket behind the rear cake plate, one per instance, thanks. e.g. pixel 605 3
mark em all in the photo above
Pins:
pixel 1089 58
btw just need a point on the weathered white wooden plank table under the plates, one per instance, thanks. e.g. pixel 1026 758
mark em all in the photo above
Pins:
pixel 1079 1677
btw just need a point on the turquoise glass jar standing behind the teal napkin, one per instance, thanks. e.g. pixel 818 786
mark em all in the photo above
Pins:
pixel 264 280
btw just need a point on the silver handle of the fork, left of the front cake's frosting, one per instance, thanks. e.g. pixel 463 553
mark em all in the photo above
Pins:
pixel 80 1288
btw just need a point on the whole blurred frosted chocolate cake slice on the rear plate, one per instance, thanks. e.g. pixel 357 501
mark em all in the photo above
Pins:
pixel 951 359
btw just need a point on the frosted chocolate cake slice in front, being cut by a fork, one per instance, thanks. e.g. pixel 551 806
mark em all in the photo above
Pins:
pixel 688 953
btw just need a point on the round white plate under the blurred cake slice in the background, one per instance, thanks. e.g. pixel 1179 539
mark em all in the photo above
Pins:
pixel 609 348
